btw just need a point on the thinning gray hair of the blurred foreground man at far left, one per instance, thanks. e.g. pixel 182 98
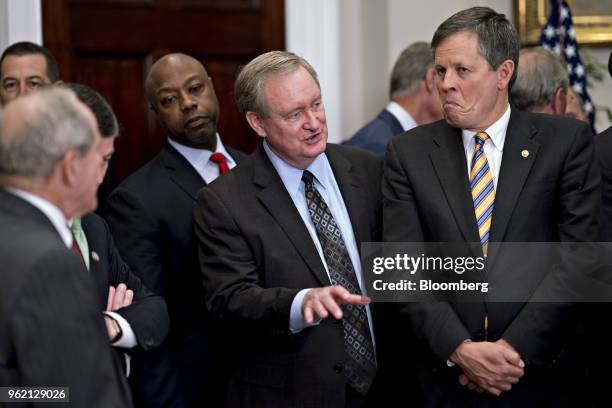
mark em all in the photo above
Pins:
pixel 36 131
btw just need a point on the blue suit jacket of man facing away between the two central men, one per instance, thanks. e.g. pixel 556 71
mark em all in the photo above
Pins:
pixel 375 135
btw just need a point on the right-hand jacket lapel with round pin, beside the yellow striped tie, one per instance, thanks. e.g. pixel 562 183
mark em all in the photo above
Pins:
pixel 514 171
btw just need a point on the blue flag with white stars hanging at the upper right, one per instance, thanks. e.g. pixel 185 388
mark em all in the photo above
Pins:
pixel 559 35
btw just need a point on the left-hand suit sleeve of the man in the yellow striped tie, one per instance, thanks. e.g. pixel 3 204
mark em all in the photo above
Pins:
pixel 436 322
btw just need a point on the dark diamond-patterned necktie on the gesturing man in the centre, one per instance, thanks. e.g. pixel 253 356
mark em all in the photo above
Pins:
pixel 360 367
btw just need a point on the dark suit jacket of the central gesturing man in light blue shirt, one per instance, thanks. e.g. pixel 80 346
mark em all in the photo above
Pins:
pixel 256 255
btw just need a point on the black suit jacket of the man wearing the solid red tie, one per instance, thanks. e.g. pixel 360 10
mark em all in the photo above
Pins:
pixel 151 217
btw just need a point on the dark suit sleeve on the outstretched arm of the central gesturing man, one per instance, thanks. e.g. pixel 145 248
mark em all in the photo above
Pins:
pixel 232 286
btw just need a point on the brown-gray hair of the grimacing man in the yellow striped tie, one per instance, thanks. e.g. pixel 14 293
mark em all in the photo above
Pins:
pixel 497 37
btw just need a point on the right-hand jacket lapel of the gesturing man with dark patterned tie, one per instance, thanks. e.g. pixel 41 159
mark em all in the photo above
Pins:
pixel 350 184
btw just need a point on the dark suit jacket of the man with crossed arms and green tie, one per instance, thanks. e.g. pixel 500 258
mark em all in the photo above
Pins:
pixel 147 315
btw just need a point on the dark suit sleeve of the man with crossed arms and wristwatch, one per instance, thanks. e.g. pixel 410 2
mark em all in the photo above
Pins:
pixel 148 314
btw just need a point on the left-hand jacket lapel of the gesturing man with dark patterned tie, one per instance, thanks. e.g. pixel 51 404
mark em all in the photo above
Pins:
pixel 275 198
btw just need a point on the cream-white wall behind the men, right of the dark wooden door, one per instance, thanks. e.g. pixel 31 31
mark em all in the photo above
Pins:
pixel 368 35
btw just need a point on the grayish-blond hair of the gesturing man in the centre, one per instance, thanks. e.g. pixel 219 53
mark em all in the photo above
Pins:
pixel 248 89
